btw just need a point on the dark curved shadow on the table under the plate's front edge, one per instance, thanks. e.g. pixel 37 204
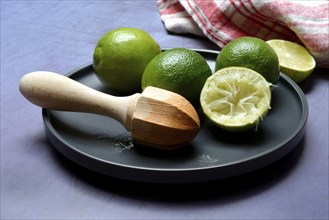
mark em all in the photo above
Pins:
pixel 229 189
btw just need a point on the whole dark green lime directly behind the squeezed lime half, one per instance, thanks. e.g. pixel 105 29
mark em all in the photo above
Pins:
pixel 252 53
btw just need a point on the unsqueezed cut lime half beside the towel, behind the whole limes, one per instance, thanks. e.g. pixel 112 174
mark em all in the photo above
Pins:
pixel 295 60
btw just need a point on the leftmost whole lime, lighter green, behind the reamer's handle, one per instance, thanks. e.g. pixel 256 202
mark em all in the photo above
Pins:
pixel 121 56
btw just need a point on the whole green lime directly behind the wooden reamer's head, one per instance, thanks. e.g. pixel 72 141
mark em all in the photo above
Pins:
pixel 179 70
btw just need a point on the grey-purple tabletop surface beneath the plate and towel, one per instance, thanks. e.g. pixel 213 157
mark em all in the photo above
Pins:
pixel 37 182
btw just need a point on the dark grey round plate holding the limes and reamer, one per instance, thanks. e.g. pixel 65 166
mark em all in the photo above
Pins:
pixel 103 145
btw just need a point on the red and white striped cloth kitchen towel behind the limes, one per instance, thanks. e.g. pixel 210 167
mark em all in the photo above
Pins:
pixel 306 22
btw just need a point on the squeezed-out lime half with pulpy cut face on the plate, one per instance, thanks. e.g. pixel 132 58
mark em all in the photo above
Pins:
pixel 236 98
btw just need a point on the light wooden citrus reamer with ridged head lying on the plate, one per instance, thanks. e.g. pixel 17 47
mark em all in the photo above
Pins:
pixel 156 117
